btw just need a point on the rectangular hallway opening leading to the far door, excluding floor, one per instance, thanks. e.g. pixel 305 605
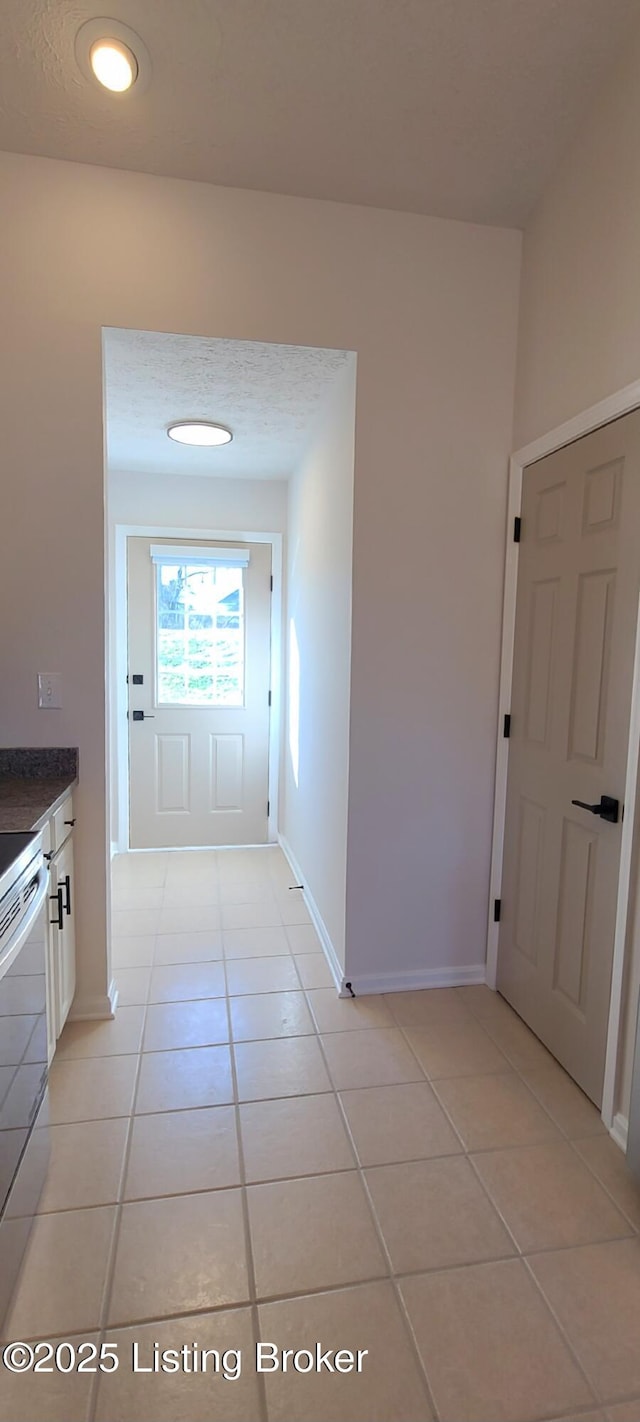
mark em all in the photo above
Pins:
pixel 230 584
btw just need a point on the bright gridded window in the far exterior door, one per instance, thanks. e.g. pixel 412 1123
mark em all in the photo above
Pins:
pixel 200 635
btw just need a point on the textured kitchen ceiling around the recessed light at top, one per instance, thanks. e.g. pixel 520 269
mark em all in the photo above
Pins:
pixel 457 109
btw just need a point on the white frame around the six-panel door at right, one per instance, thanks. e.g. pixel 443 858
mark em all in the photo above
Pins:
pixel 599 415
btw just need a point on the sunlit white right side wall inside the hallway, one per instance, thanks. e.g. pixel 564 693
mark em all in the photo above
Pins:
pixel 319 659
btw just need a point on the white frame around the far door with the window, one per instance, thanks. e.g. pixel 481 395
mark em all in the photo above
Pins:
pixel 119 661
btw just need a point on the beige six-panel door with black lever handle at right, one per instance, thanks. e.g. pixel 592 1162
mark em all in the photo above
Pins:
pixel 578 598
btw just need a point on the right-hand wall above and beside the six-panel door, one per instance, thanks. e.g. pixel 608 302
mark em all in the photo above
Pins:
pixel 581 314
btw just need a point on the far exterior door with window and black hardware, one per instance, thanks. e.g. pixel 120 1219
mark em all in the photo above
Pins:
pixel 200 693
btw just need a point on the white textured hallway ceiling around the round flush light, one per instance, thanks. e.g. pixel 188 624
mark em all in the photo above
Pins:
pixel 268 396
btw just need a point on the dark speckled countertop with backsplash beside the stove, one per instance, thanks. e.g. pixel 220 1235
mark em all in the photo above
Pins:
pixel 33 783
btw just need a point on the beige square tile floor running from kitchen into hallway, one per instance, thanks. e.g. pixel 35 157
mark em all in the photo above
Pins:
pixel 242 1155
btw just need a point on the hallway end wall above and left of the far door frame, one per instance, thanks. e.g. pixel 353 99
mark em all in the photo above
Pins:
pixel 170 503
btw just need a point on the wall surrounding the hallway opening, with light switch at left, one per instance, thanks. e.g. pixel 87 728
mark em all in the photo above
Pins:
pixel 430 308
